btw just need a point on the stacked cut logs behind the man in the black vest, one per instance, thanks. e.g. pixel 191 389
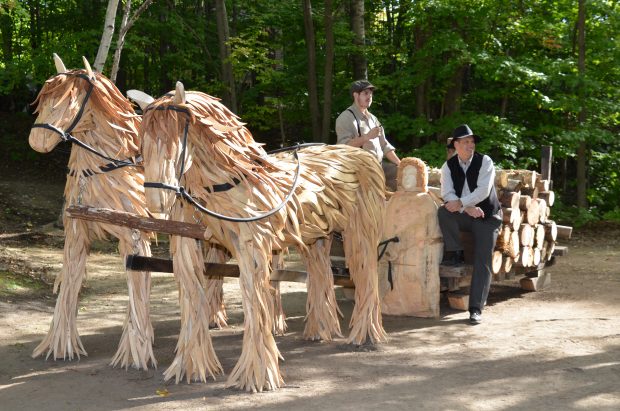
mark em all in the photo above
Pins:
pixel 528 235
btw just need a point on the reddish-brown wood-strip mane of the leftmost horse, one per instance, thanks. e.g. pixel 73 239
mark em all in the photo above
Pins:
pixel 111 107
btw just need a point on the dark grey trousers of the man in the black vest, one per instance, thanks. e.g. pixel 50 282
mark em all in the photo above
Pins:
pixel 485 233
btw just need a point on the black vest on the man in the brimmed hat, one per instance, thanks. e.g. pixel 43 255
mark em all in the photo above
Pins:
pixel 489 205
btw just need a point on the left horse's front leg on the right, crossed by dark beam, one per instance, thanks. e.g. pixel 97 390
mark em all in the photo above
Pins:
pixel 136 344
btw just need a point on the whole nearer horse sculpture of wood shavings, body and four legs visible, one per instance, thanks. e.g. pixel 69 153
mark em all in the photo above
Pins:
pixel 195 148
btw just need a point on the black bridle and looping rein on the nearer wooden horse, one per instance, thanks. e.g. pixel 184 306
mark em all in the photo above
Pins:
pixel 180 191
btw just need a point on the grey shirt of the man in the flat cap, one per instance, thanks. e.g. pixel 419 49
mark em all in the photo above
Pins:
pixel 347 129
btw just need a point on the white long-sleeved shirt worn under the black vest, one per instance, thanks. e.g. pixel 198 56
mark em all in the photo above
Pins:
pixel 486 179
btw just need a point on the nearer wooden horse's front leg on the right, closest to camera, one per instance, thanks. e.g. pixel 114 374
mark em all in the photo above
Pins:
pixel 257 368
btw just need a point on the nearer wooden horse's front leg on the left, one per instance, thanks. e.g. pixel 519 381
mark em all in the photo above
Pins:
pixel 195 357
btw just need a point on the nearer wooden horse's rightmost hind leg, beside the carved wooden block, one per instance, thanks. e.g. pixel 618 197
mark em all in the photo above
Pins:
pixel 360 246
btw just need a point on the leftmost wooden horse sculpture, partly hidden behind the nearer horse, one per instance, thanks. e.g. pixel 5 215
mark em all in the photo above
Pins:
pixel 87 109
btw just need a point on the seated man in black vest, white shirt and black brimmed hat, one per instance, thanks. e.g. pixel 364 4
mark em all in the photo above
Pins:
pixel 470 204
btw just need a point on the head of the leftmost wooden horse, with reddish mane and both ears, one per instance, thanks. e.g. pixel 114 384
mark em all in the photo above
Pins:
pixel 77 101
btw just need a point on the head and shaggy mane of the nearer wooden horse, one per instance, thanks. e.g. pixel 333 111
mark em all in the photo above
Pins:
pixel 190 139
